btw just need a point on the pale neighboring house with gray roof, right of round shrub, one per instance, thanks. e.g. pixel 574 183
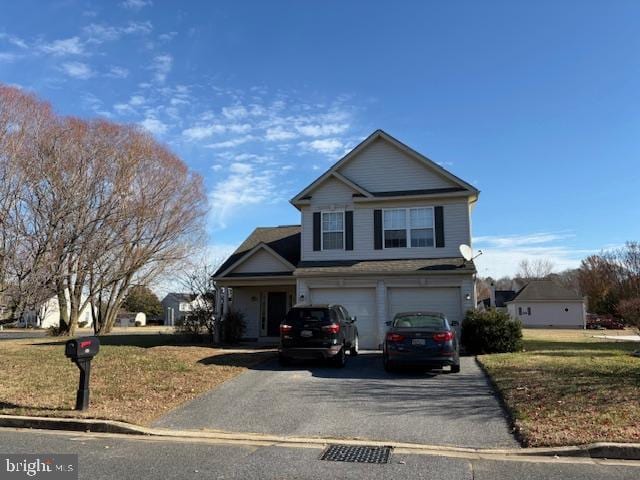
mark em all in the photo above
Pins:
pixel 545 303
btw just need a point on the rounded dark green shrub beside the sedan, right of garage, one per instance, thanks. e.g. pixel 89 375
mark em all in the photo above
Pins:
pixel 490 331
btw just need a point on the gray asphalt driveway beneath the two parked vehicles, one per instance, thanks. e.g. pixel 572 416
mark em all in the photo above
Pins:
pixel 359 401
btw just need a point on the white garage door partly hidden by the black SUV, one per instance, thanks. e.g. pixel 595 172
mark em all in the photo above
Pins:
pixel 361 303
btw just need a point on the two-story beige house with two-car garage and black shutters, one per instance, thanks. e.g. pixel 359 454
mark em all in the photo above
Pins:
pixel 379 234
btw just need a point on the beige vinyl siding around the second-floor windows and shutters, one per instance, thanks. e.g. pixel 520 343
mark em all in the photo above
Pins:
pixel 456 230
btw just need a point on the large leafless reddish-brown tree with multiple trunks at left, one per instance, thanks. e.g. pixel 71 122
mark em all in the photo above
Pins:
pixel 88 208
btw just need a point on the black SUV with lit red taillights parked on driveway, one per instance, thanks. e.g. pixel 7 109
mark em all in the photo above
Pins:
pixel 318 331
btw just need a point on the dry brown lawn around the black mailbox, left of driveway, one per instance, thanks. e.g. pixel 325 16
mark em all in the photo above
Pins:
pixel 130 383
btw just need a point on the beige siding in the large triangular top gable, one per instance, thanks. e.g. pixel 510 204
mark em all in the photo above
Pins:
pixel 382 167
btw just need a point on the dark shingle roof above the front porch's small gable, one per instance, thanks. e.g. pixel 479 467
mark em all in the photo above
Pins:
pixel 284 240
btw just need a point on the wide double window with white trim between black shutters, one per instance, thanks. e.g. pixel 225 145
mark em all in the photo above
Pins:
pixel 413 227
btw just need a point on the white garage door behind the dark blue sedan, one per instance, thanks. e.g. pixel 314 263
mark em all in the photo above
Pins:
pixel 443 300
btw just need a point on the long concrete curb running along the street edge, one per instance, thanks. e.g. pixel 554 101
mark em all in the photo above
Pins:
pixel 599 450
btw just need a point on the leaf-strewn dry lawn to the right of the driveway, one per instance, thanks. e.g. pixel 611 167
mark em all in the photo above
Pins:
pixel 568 387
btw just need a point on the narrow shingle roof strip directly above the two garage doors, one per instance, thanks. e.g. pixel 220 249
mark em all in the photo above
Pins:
pixel 385 266
